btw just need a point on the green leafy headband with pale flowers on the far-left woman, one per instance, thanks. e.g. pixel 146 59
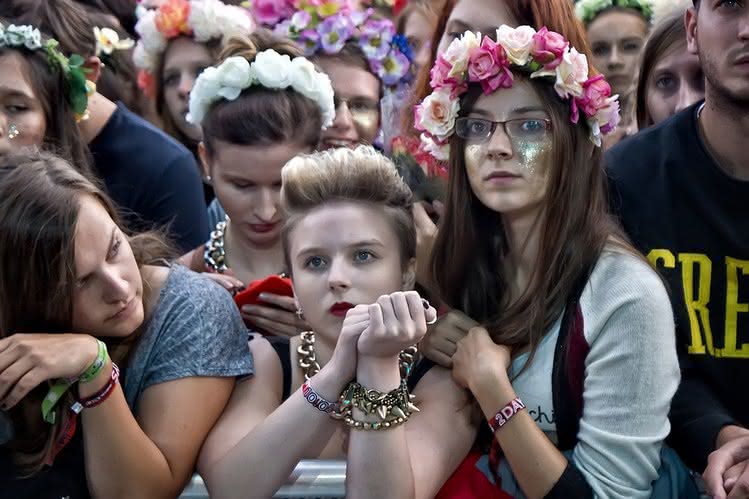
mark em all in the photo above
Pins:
pixel 78 89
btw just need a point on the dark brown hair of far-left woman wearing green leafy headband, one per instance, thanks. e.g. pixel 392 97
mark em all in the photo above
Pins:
pixel 49 85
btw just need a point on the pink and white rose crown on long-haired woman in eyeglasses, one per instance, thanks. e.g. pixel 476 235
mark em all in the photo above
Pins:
pixel 542 54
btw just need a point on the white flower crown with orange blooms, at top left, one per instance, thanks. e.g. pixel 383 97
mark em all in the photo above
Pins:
pixel 202 20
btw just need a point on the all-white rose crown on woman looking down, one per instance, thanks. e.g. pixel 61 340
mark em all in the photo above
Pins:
pixel 270 70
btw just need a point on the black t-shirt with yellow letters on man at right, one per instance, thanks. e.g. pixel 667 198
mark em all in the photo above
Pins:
pixel 691 220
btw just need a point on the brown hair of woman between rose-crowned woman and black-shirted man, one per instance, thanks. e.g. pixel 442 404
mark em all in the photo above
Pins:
pixel 668 32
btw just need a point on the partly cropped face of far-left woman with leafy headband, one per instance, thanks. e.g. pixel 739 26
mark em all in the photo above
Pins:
pixel 22 119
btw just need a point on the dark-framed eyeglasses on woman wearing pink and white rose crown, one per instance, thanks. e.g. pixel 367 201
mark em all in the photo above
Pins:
pixel 479 130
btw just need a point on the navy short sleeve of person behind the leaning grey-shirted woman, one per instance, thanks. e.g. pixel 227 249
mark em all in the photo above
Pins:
pixel 178 201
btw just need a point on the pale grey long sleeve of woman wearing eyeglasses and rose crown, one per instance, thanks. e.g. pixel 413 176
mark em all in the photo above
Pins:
pixel 631 375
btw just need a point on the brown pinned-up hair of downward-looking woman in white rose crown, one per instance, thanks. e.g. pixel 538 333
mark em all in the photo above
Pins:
pixel 262 115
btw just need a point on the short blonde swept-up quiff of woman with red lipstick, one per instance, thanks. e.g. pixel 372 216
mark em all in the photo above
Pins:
pixel 359 175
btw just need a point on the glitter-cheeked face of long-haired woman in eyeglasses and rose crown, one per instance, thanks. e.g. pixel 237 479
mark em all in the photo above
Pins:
pixel 508 171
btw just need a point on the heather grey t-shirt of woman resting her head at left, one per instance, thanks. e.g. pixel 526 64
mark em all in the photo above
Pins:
pixel 194 330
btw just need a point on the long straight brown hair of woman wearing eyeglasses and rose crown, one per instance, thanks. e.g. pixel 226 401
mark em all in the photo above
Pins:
pixel 467 260
